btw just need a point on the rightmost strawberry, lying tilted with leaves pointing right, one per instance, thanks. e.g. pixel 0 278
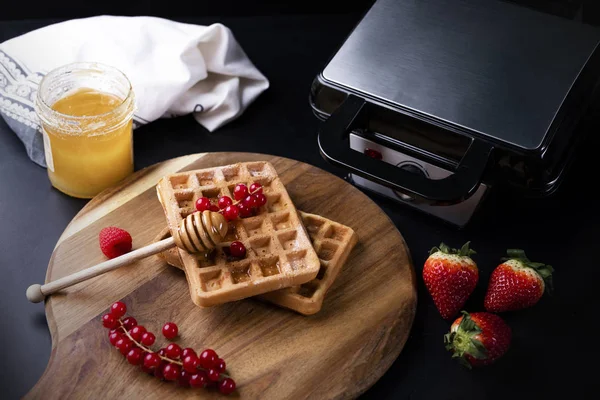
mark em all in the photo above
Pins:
pixel 517 283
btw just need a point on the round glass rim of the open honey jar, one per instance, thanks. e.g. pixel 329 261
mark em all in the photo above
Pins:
pixel 82 66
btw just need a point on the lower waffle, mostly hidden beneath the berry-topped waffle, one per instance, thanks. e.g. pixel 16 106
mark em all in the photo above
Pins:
pixel 333 243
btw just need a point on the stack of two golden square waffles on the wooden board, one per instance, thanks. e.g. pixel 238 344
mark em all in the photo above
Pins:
pixel 292 257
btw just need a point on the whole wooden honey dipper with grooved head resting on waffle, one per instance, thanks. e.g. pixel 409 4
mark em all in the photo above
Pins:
pixel 198 232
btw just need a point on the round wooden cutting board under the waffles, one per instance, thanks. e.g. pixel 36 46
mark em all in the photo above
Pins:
pixel 272 353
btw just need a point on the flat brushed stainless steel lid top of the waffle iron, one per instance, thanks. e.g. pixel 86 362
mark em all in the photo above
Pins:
pixel 496 69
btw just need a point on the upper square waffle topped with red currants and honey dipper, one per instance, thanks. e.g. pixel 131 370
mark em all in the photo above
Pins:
pixel 279 252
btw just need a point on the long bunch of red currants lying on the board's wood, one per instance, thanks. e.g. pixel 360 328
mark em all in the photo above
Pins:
pixel 171 363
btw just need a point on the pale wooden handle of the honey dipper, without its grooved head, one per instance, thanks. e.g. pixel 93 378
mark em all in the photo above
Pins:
pixel 36 293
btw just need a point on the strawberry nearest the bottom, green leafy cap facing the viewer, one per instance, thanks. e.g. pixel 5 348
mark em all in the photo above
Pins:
pixel 478 339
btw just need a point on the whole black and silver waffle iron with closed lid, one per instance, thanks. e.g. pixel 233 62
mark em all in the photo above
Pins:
pixel 434 102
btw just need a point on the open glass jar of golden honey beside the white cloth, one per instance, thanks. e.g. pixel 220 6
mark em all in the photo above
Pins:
pixel 86 113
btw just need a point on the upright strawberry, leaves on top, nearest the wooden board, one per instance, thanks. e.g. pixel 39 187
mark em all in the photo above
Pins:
pixel 450 276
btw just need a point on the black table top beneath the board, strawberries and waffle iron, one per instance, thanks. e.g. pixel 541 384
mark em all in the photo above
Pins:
pixel 550 340
